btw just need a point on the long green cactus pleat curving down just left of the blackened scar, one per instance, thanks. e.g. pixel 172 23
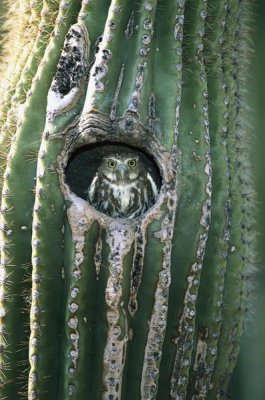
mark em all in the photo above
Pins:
pixel 19 208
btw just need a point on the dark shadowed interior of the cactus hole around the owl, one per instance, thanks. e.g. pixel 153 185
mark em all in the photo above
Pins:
pixel 84 162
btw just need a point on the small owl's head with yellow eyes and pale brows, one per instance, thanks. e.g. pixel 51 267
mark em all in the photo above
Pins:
pixel 121 168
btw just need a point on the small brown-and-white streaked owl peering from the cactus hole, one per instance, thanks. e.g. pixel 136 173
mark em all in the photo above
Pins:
pixel 123 186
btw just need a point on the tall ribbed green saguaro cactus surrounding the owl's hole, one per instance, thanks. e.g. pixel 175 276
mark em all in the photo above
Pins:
pixel 95 307
